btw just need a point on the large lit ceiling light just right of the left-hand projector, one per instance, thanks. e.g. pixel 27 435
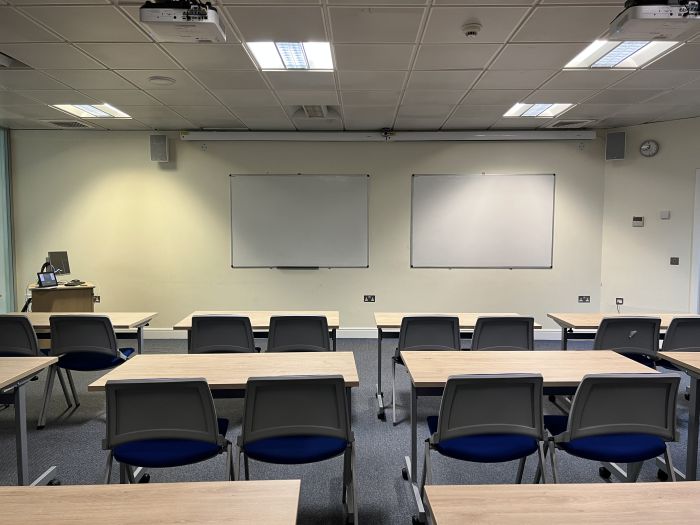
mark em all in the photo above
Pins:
pixel 292 55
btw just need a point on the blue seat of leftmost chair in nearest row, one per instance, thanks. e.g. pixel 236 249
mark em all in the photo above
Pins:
pixel 161 453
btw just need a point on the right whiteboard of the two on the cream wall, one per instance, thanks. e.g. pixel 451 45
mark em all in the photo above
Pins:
pixel 482 221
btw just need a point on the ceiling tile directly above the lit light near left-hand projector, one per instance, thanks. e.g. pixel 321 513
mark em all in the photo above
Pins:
pixel 279 23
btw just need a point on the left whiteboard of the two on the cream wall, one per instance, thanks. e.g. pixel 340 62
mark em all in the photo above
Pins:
pixel 299 221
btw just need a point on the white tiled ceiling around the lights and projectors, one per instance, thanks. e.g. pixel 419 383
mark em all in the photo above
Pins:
pixel 402 64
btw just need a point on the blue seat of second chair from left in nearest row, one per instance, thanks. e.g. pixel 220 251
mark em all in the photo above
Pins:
pixel 294 450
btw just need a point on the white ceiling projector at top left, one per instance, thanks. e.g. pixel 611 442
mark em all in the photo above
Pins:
pixel 182 21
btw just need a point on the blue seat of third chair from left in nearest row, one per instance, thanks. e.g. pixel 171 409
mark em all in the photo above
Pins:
pixel 485 448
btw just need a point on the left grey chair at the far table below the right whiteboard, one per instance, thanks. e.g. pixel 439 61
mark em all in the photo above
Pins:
pixel 424 333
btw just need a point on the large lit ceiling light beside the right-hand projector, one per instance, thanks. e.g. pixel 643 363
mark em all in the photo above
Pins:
pixel 628 54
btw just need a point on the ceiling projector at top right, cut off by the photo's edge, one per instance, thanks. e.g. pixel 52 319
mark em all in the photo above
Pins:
pixel 647 20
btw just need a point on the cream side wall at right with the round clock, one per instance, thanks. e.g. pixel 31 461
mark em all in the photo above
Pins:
pixel 635 261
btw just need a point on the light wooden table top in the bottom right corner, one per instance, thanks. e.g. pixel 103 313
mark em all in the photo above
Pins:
pixel 572 504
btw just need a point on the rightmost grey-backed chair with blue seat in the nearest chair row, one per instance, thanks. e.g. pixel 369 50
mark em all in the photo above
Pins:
pixel 618 418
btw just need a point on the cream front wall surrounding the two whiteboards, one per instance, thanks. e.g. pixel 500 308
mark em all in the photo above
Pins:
pixel 157 238
